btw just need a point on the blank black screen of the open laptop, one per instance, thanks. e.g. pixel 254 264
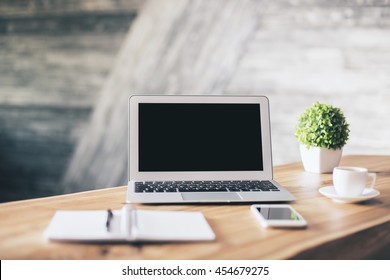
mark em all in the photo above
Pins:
pixel 199 137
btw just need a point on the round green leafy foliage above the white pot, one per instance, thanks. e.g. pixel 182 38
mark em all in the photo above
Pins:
pixel 322 126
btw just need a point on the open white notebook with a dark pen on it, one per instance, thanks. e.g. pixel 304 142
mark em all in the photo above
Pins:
pixel 129 225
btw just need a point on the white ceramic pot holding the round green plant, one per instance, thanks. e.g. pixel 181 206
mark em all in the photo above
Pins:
pixel 320 160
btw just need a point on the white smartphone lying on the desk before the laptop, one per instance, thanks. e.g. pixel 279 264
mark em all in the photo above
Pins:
pixel 278 215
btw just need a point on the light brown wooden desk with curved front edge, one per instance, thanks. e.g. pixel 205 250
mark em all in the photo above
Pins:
pixel 346 231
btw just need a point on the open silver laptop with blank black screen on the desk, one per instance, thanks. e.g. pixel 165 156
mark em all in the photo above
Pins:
pixel 201 149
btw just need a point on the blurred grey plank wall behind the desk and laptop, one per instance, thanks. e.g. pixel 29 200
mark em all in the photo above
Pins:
pixel 56 58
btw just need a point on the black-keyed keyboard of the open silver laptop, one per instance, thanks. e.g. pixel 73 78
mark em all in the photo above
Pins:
pixel 205 186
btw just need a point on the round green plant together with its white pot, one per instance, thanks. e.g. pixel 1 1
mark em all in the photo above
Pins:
pixel 322 132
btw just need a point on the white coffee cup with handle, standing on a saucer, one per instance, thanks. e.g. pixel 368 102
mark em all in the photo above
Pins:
pixel 351 181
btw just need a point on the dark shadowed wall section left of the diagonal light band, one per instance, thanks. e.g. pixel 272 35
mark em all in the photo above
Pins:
pixel 54 57
